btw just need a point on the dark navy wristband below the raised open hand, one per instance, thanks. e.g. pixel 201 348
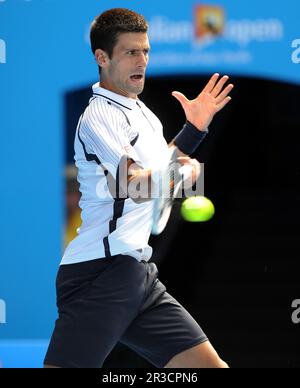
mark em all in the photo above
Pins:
pixel 189 138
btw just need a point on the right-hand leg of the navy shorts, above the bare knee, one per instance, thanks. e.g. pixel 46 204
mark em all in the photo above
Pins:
pixel 163 327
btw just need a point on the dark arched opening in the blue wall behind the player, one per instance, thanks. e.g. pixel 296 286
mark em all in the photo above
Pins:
pixel 238 273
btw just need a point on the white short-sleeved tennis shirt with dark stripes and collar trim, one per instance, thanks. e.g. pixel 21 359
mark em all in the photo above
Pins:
pixel 111 128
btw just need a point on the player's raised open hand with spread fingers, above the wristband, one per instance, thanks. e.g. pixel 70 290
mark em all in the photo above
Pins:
pixel 211 100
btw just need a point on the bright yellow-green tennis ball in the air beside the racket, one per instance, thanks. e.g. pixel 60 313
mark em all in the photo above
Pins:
pixel 197 209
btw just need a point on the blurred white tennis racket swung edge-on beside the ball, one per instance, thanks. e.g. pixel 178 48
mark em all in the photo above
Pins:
pixel 169 183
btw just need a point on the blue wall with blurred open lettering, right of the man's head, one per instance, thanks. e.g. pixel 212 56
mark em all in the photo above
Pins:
pixel 247 39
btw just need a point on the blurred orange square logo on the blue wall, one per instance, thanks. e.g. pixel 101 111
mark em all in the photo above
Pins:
pixel 209 21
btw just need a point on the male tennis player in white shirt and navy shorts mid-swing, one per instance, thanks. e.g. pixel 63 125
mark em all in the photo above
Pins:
pixel 107 290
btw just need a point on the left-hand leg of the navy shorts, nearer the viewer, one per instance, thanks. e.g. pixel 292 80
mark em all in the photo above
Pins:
pixel 96 303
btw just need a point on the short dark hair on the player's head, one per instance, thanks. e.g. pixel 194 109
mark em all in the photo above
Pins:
pixel 107 27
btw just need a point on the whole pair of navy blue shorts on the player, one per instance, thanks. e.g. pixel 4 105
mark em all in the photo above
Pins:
pixel 119 299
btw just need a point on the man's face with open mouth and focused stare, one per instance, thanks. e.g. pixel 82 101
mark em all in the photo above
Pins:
pixel 124 73
